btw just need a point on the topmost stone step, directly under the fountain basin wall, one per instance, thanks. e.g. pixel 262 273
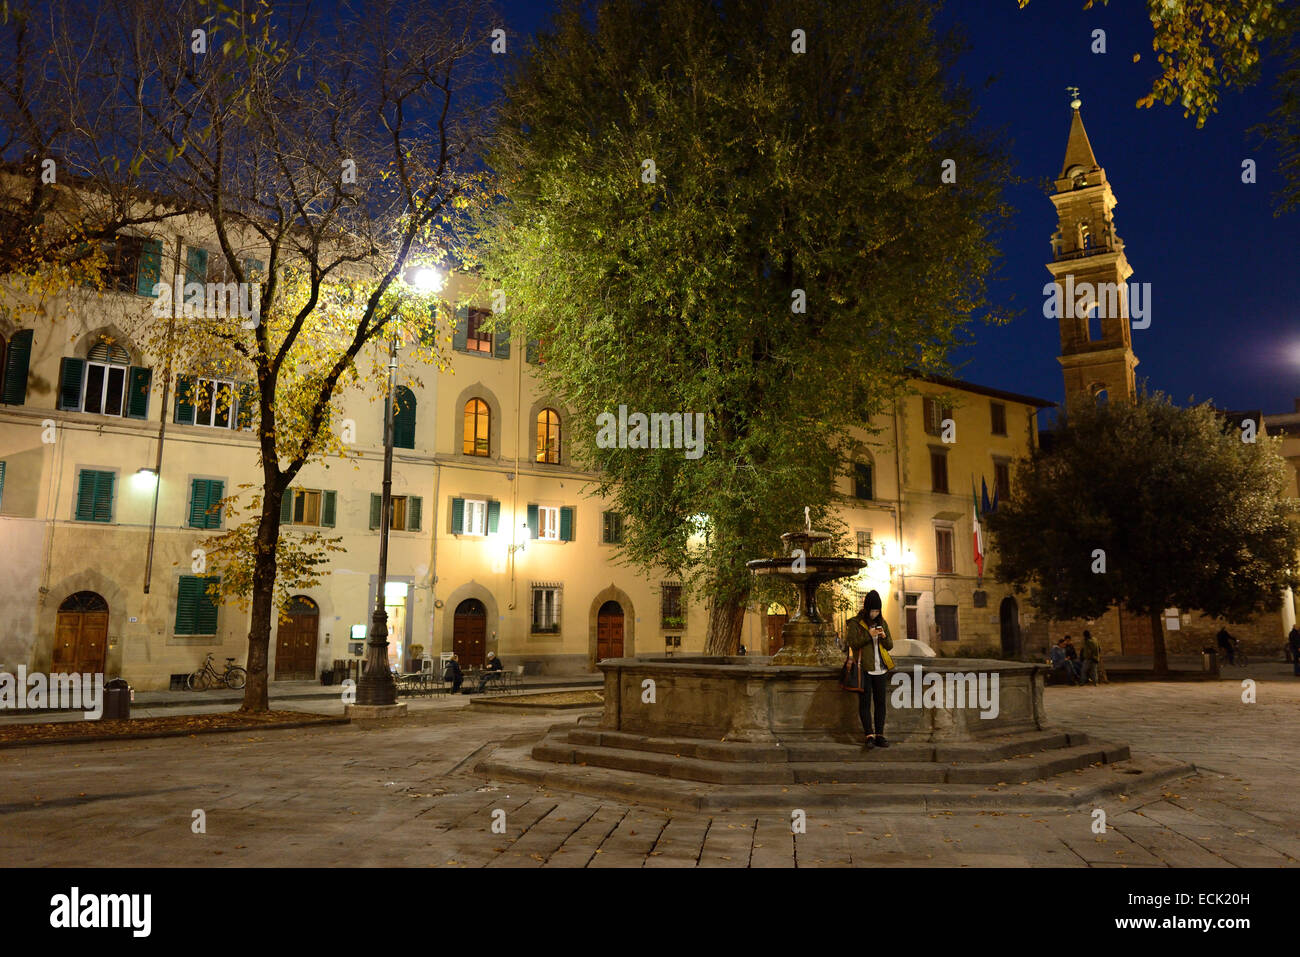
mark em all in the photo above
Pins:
pixel 794 751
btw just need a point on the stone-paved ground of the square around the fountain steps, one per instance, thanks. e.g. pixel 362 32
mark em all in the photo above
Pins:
pixel 406 795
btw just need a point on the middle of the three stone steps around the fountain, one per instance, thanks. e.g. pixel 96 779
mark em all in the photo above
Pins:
pixel 1024 769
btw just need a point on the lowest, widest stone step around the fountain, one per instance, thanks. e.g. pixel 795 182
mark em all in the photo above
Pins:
pixel 1081 789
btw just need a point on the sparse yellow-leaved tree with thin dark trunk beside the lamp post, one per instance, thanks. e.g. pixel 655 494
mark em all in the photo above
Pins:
pixel 322 155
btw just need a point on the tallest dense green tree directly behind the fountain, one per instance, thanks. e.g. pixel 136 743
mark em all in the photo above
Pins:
pixel 759 213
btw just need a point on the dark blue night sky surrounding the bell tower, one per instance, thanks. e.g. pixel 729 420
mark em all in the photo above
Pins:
pixel 1224 272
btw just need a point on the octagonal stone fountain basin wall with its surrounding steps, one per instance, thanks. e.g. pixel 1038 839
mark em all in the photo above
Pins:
pixel 712 734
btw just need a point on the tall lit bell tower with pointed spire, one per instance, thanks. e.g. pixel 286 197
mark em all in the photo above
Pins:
pixel 1091 275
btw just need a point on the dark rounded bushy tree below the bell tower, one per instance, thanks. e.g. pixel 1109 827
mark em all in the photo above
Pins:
pixel 1151 506
